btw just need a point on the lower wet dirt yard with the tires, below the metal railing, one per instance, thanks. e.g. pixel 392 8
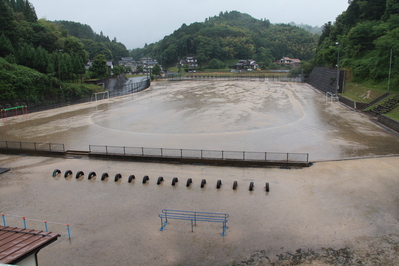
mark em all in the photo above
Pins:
pixel 333 212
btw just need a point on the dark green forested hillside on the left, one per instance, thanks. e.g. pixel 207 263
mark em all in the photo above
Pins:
pixel 41 59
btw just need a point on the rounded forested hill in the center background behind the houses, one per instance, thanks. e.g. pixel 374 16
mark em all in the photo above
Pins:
pixel 233 35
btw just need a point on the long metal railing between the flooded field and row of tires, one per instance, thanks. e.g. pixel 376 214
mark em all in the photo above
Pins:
pixel 200 154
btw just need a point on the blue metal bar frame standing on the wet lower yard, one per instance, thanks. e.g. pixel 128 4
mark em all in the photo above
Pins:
pixel 193 217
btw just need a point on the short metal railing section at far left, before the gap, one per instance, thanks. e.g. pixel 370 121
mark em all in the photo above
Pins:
pixel 34 146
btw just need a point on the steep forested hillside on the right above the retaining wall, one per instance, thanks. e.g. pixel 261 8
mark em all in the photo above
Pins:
pixel 365 34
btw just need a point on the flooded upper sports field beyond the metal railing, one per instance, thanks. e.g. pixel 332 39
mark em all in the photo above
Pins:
pixel 213 115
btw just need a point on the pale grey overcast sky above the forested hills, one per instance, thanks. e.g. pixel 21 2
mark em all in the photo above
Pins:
pixel 135 23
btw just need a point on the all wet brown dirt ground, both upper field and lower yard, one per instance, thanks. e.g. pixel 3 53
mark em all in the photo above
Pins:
pixel 334 212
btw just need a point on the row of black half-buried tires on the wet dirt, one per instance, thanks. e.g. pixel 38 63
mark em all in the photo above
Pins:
pixel 146 179
